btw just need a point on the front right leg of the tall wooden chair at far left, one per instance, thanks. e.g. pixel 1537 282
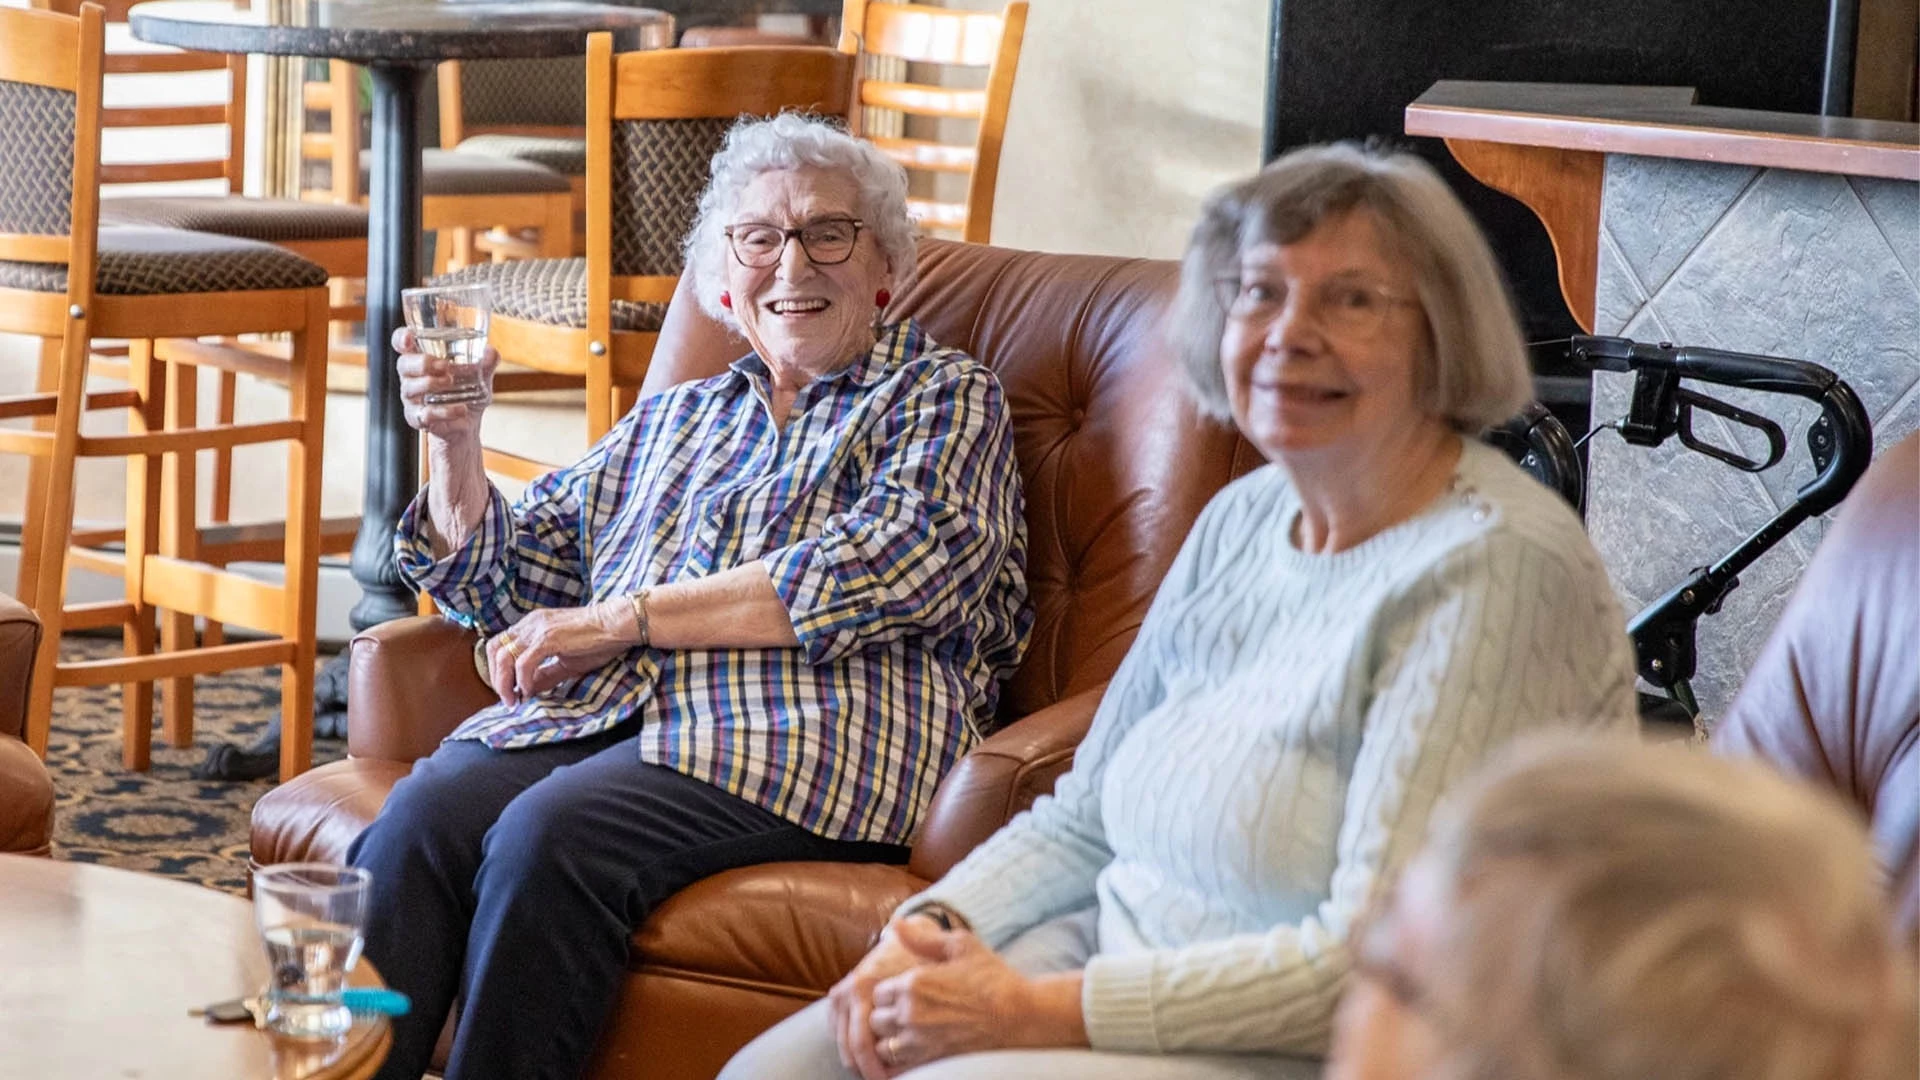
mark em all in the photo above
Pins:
pixel 304 541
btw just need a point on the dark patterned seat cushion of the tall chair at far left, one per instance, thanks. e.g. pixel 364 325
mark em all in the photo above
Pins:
pixel 168 262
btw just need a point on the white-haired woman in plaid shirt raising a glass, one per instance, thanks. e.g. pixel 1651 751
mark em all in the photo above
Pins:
pixel 756 624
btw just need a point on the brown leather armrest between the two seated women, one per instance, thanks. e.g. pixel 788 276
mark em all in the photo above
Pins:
pixel 999 779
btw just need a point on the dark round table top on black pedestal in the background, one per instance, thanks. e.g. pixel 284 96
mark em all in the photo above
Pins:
pixel 396 32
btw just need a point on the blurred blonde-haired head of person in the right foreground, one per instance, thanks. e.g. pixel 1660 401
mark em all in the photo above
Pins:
pixel 1604 912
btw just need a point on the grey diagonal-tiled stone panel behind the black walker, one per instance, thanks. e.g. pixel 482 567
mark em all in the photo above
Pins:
pixel 1775 262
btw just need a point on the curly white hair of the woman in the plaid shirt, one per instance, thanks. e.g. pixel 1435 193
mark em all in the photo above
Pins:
pixel 796 141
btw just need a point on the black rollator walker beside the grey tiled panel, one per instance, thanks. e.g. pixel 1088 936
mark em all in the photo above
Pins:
pixel 1840 445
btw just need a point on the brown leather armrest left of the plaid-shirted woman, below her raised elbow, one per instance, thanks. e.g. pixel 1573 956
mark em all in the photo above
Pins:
pixel 410 685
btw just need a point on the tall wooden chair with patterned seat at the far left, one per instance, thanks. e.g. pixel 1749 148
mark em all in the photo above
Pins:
pixel 68 280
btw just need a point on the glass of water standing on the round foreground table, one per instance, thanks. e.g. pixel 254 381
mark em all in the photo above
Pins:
pixel 310 916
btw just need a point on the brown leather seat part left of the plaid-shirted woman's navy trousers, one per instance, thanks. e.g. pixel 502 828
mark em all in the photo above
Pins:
pixel 318 814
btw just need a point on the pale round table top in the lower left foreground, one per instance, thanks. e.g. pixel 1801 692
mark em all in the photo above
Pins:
pixel 99 970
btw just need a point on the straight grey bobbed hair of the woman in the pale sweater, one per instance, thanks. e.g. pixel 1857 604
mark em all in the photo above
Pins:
pixel 1476 370
